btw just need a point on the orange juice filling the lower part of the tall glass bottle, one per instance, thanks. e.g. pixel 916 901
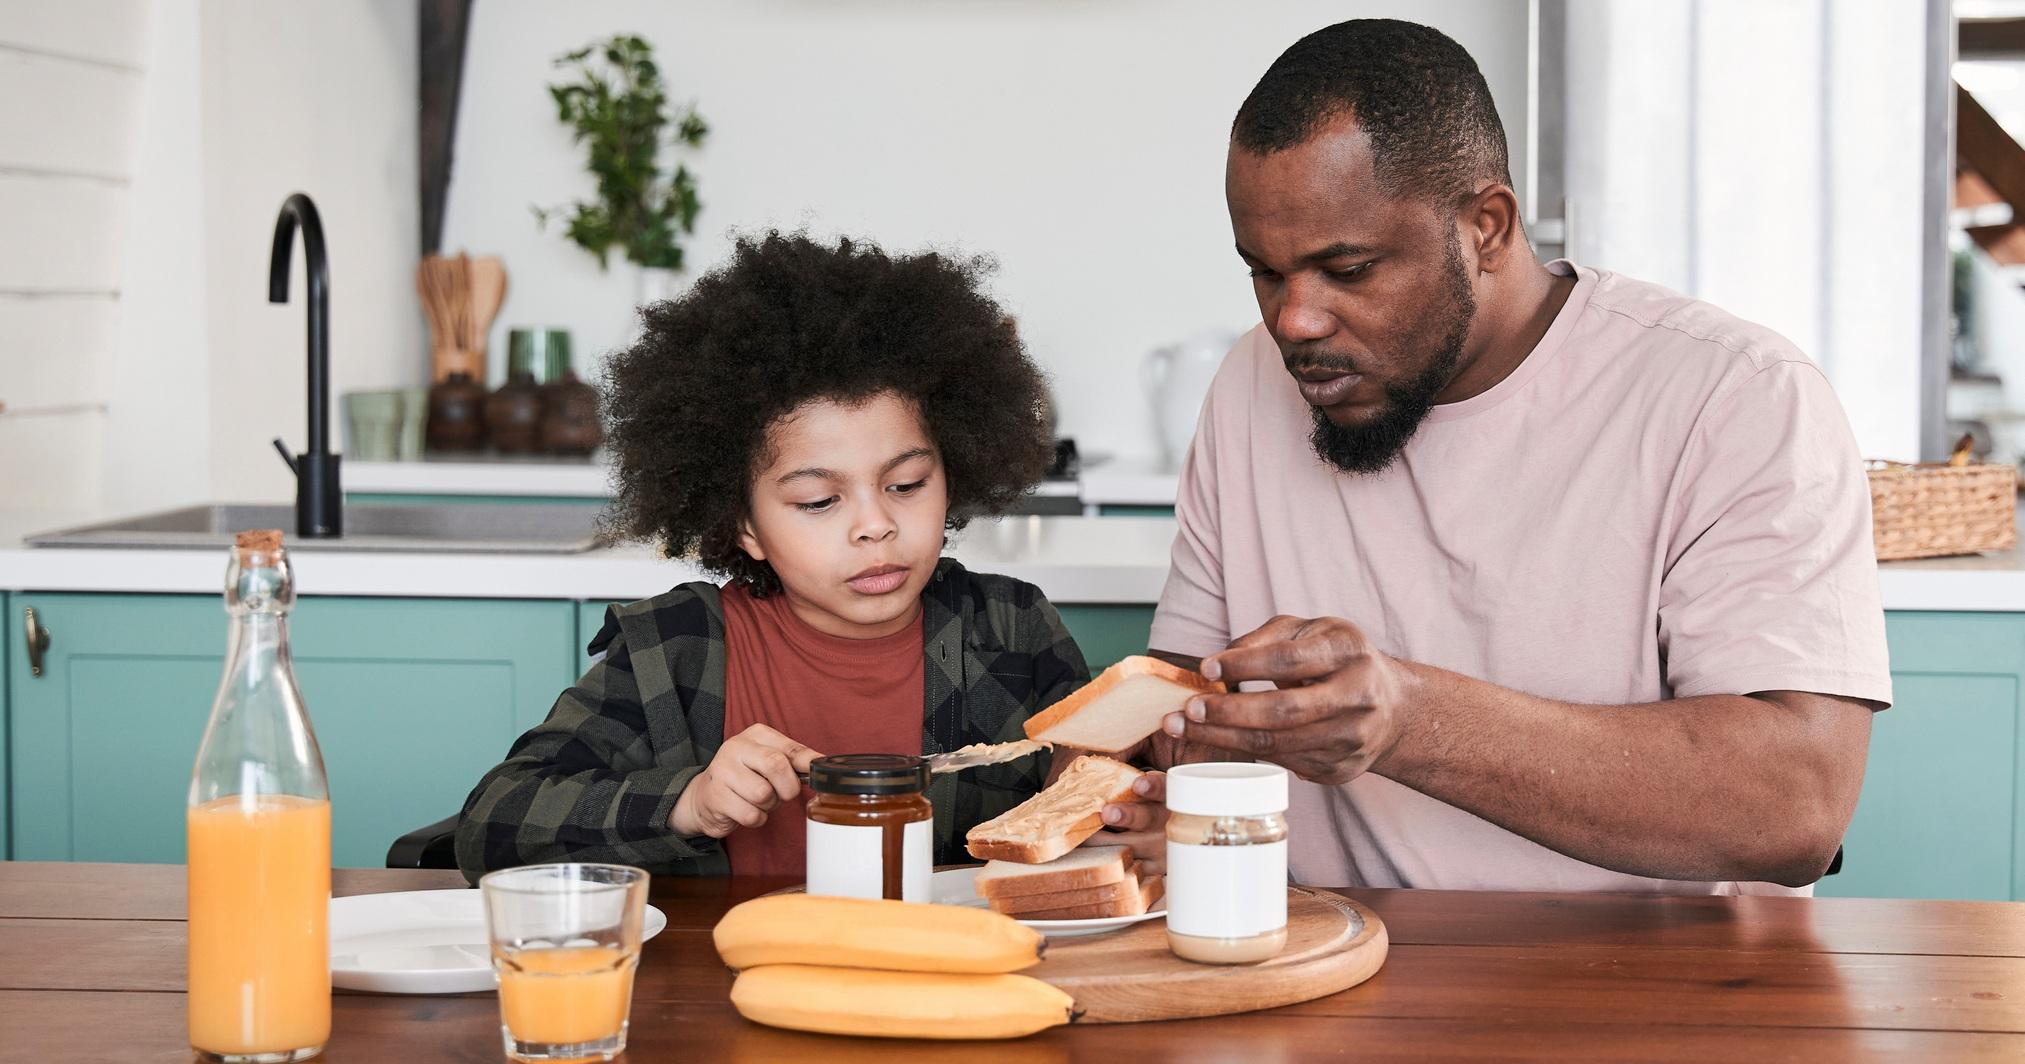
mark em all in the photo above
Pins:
pixel 260 925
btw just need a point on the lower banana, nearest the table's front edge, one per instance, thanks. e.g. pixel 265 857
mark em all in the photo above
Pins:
pixel 898 1004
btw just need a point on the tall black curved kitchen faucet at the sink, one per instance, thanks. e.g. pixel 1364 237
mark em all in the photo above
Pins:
pixel 319 500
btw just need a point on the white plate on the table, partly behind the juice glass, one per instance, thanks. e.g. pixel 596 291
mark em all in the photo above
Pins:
pixel 420 941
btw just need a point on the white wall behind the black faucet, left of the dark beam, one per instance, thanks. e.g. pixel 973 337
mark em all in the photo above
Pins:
pixel 143 364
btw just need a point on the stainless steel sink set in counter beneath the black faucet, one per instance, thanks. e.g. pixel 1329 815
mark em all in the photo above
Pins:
pixel 532 528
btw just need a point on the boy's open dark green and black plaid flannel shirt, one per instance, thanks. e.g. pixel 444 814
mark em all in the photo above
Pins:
pixel 598 779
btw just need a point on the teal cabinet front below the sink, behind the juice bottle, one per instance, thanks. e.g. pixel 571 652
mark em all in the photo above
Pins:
pixel 412 702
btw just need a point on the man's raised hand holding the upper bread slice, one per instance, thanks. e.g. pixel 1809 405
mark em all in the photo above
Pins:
pixel 1335 714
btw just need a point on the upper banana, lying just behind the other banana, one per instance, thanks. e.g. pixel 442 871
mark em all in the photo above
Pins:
pixel 860 933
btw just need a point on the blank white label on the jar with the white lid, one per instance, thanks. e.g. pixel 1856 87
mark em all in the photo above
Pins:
pixel 1226 891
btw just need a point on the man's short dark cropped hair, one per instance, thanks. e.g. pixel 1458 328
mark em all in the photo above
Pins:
pixel 1416 94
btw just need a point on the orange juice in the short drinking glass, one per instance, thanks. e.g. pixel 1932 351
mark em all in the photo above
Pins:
pixel 564 996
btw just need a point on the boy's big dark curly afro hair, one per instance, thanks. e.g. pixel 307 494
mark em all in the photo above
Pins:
pixel 791 321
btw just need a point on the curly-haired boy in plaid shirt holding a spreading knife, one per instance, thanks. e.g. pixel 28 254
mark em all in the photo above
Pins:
pixel 809 423
